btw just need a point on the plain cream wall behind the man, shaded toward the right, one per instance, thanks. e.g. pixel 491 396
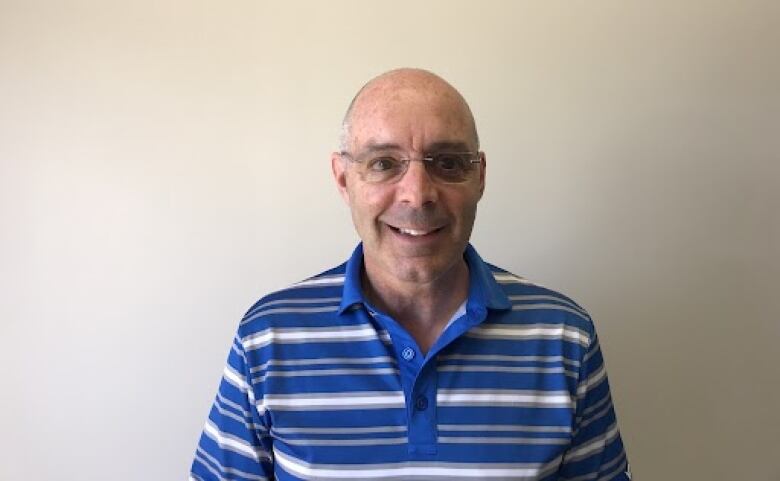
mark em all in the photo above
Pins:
pixel 165 163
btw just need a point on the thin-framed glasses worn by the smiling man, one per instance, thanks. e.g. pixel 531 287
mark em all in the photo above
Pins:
pixel 445 167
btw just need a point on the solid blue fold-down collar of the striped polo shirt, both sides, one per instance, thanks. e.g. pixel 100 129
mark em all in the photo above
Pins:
pixel 484 291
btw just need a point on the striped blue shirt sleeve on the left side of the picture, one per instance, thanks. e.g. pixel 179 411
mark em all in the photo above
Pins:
pixel 235 443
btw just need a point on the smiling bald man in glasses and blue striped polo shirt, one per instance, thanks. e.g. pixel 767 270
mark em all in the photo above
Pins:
pixel 415 359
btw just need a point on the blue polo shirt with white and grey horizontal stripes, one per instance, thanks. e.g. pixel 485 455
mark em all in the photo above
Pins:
pixel 320 385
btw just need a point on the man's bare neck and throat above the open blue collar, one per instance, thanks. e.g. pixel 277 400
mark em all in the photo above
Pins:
pixel 422 308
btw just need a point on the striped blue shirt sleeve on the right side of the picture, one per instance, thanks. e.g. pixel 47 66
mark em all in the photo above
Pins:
pixel 596 451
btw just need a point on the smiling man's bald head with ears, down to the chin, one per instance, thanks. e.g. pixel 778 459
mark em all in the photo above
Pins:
pixel 414 225
